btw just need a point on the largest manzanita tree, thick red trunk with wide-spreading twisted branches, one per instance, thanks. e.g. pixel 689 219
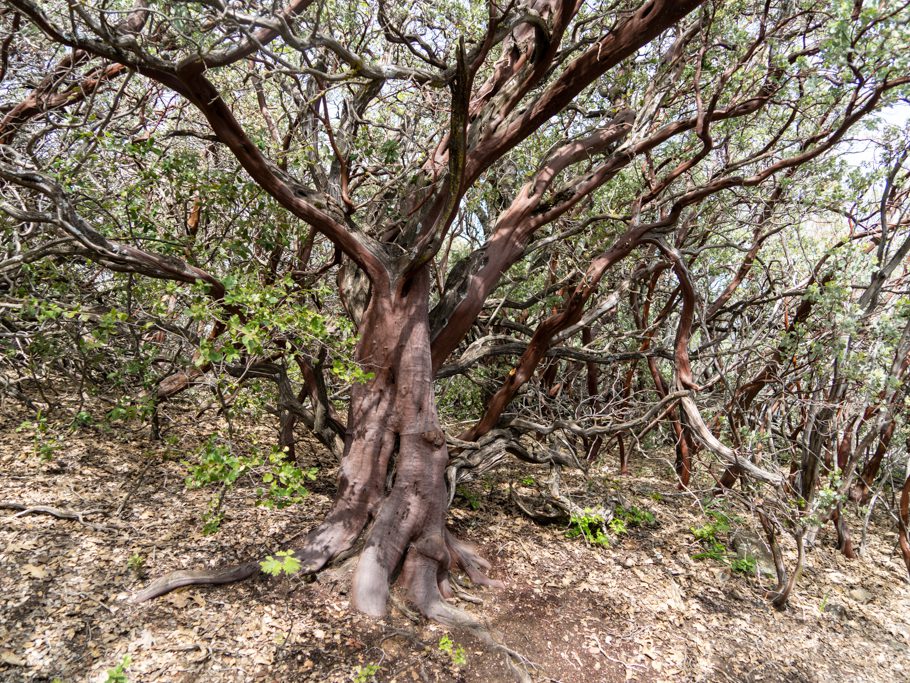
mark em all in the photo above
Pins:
pixel 434 156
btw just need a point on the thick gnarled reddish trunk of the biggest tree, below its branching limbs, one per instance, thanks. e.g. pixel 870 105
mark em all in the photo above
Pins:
pixel 391 484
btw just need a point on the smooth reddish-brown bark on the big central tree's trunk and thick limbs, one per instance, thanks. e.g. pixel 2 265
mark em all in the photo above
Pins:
pixel 393 414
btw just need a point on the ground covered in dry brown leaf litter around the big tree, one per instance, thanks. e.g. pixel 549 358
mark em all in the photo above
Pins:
pixel 641 609
